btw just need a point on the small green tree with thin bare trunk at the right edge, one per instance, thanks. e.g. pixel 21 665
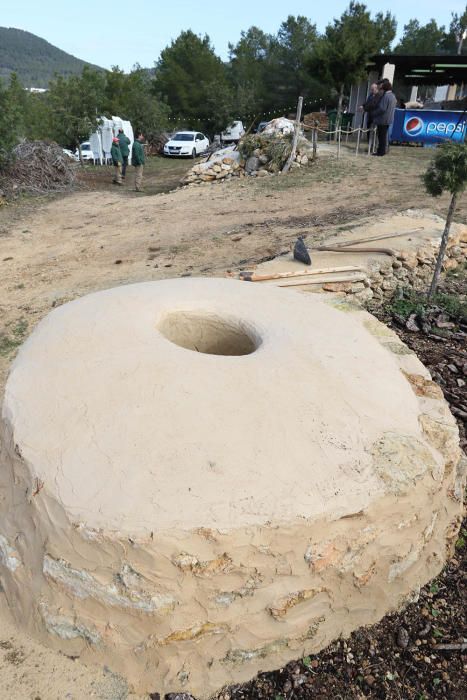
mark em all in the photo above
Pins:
pixel 446 173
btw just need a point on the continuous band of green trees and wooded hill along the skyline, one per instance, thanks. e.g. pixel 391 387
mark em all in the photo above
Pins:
pixel 191 87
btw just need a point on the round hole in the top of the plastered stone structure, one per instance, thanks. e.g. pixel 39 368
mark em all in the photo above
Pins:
pixel 208 333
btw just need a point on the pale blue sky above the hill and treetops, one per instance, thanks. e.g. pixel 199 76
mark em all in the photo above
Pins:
pixel 123 34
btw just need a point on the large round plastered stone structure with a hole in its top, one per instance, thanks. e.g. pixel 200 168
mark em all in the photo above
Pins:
pixel 204 478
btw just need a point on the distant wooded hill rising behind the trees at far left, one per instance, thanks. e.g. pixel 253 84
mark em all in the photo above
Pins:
pixel 34 60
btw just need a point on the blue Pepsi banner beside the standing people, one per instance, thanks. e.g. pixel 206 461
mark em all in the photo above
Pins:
pixel 428 126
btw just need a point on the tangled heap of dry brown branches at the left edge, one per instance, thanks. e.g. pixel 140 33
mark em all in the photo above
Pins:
pixel 38 167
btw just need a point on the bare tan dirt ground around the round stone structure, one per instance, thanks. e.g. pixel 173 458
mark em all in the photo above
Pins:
pixel 55 249
